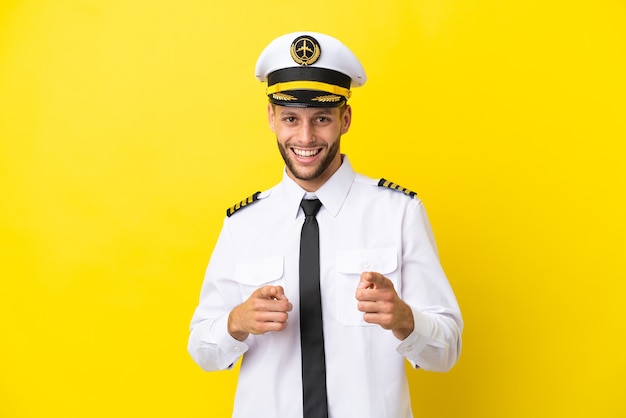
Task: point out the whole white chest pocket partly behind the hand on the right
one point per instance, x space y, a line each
350 265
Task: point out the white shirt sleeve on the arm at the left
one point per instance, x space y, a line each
210 345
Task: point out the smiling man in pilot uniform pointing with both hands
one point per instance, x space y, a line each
367 256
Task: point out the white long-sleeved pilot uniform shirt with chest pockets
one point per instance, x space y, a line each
363 227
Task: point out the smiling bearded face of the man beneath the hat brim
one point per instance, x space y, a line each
308 139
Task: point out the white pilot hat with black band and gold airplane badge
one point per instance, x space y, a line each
309 69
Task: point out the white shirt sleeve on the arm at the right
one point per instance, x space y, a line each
435 343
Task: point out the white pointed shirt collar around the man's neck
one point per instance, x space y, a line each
332 194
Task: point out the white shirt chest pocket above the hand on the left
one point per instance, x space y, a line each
251 275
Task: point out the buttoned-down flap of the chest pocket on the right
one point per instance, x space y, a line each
380 260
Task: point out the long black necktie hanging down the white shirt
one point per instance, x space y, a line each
311 332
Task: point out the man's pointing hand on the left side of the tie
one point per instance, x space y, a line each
264 311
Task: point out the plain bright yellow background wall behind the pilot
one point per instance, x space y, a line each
128 127
